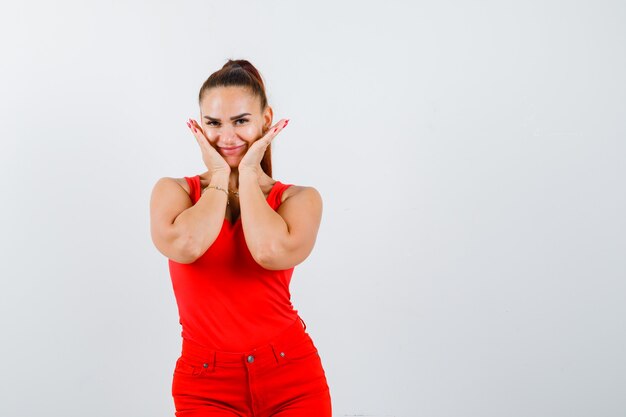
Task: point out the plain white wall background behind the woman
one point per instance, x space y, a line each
470 156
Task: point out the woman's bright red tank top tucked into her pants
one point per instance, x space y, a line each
226 301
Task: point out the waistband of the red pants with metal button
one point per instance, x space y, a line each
271 352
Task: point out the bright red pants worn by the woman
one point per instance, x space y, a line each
283 378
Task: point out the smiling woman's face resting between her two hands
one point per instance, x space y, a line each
232 120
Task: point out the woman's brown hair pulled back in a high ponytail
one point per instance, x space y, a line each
241 73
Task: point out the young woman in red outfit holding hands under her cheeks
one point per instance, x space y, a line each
232 236
